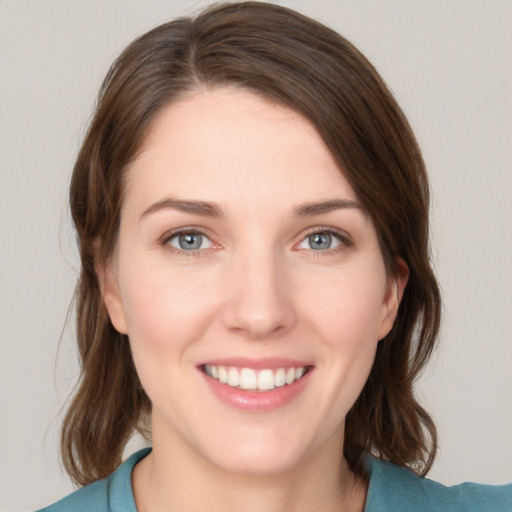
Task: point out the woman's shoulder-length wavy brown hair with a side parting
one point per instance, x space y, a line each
295 61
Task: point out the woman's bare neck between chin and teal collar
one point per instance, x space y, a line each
173 477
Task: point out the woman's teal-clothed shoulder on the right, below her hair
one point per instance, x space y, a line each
396 489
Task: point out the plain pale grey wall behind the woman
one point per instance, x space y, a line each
449 64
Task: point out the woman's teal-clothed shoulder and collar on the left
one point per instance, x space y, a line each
111 494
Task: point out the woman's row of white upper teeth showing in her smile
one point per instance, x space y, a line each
249 379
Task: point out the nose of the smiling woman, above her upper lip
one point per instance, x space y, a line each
259 301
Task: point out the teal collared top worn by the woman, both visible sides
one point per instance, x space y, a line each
392 489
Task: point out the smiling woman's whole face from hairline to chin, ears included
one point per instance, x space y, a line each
244 256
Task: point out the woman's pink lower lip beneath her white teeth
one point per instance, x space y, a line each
257 401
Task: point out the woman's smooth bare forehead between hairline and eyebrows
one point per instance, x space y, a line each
230 145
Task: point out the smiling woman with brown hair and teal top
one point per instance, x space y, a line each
256 292
